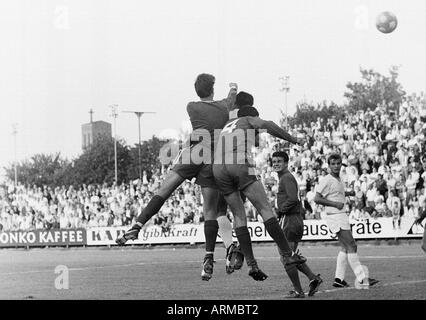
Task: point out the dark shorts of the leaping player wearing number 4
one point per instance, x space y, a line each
233 177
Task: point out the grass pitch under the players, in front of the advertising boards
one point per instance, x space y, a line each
173 273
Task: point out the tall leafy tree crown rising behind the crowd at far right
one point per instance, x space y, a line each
374 90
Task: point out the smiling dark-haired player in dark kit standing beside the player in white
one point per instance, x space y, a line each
291 221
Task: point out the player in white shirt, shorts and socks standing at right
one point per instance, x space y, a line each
331 194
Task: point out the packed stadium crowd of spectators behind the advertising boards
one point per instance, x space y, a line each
384 163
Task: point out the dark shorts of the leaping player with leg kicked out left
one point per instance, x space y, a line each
202 172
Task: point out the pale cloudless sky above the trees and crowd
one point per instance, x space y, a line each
59 59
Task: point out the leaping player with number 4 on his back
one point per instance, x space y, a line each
234 172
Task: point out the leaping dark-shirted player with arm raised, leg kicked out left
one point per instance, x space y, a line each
209 115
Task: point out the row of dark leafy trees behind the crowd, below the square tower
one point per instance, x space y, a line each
94 166
